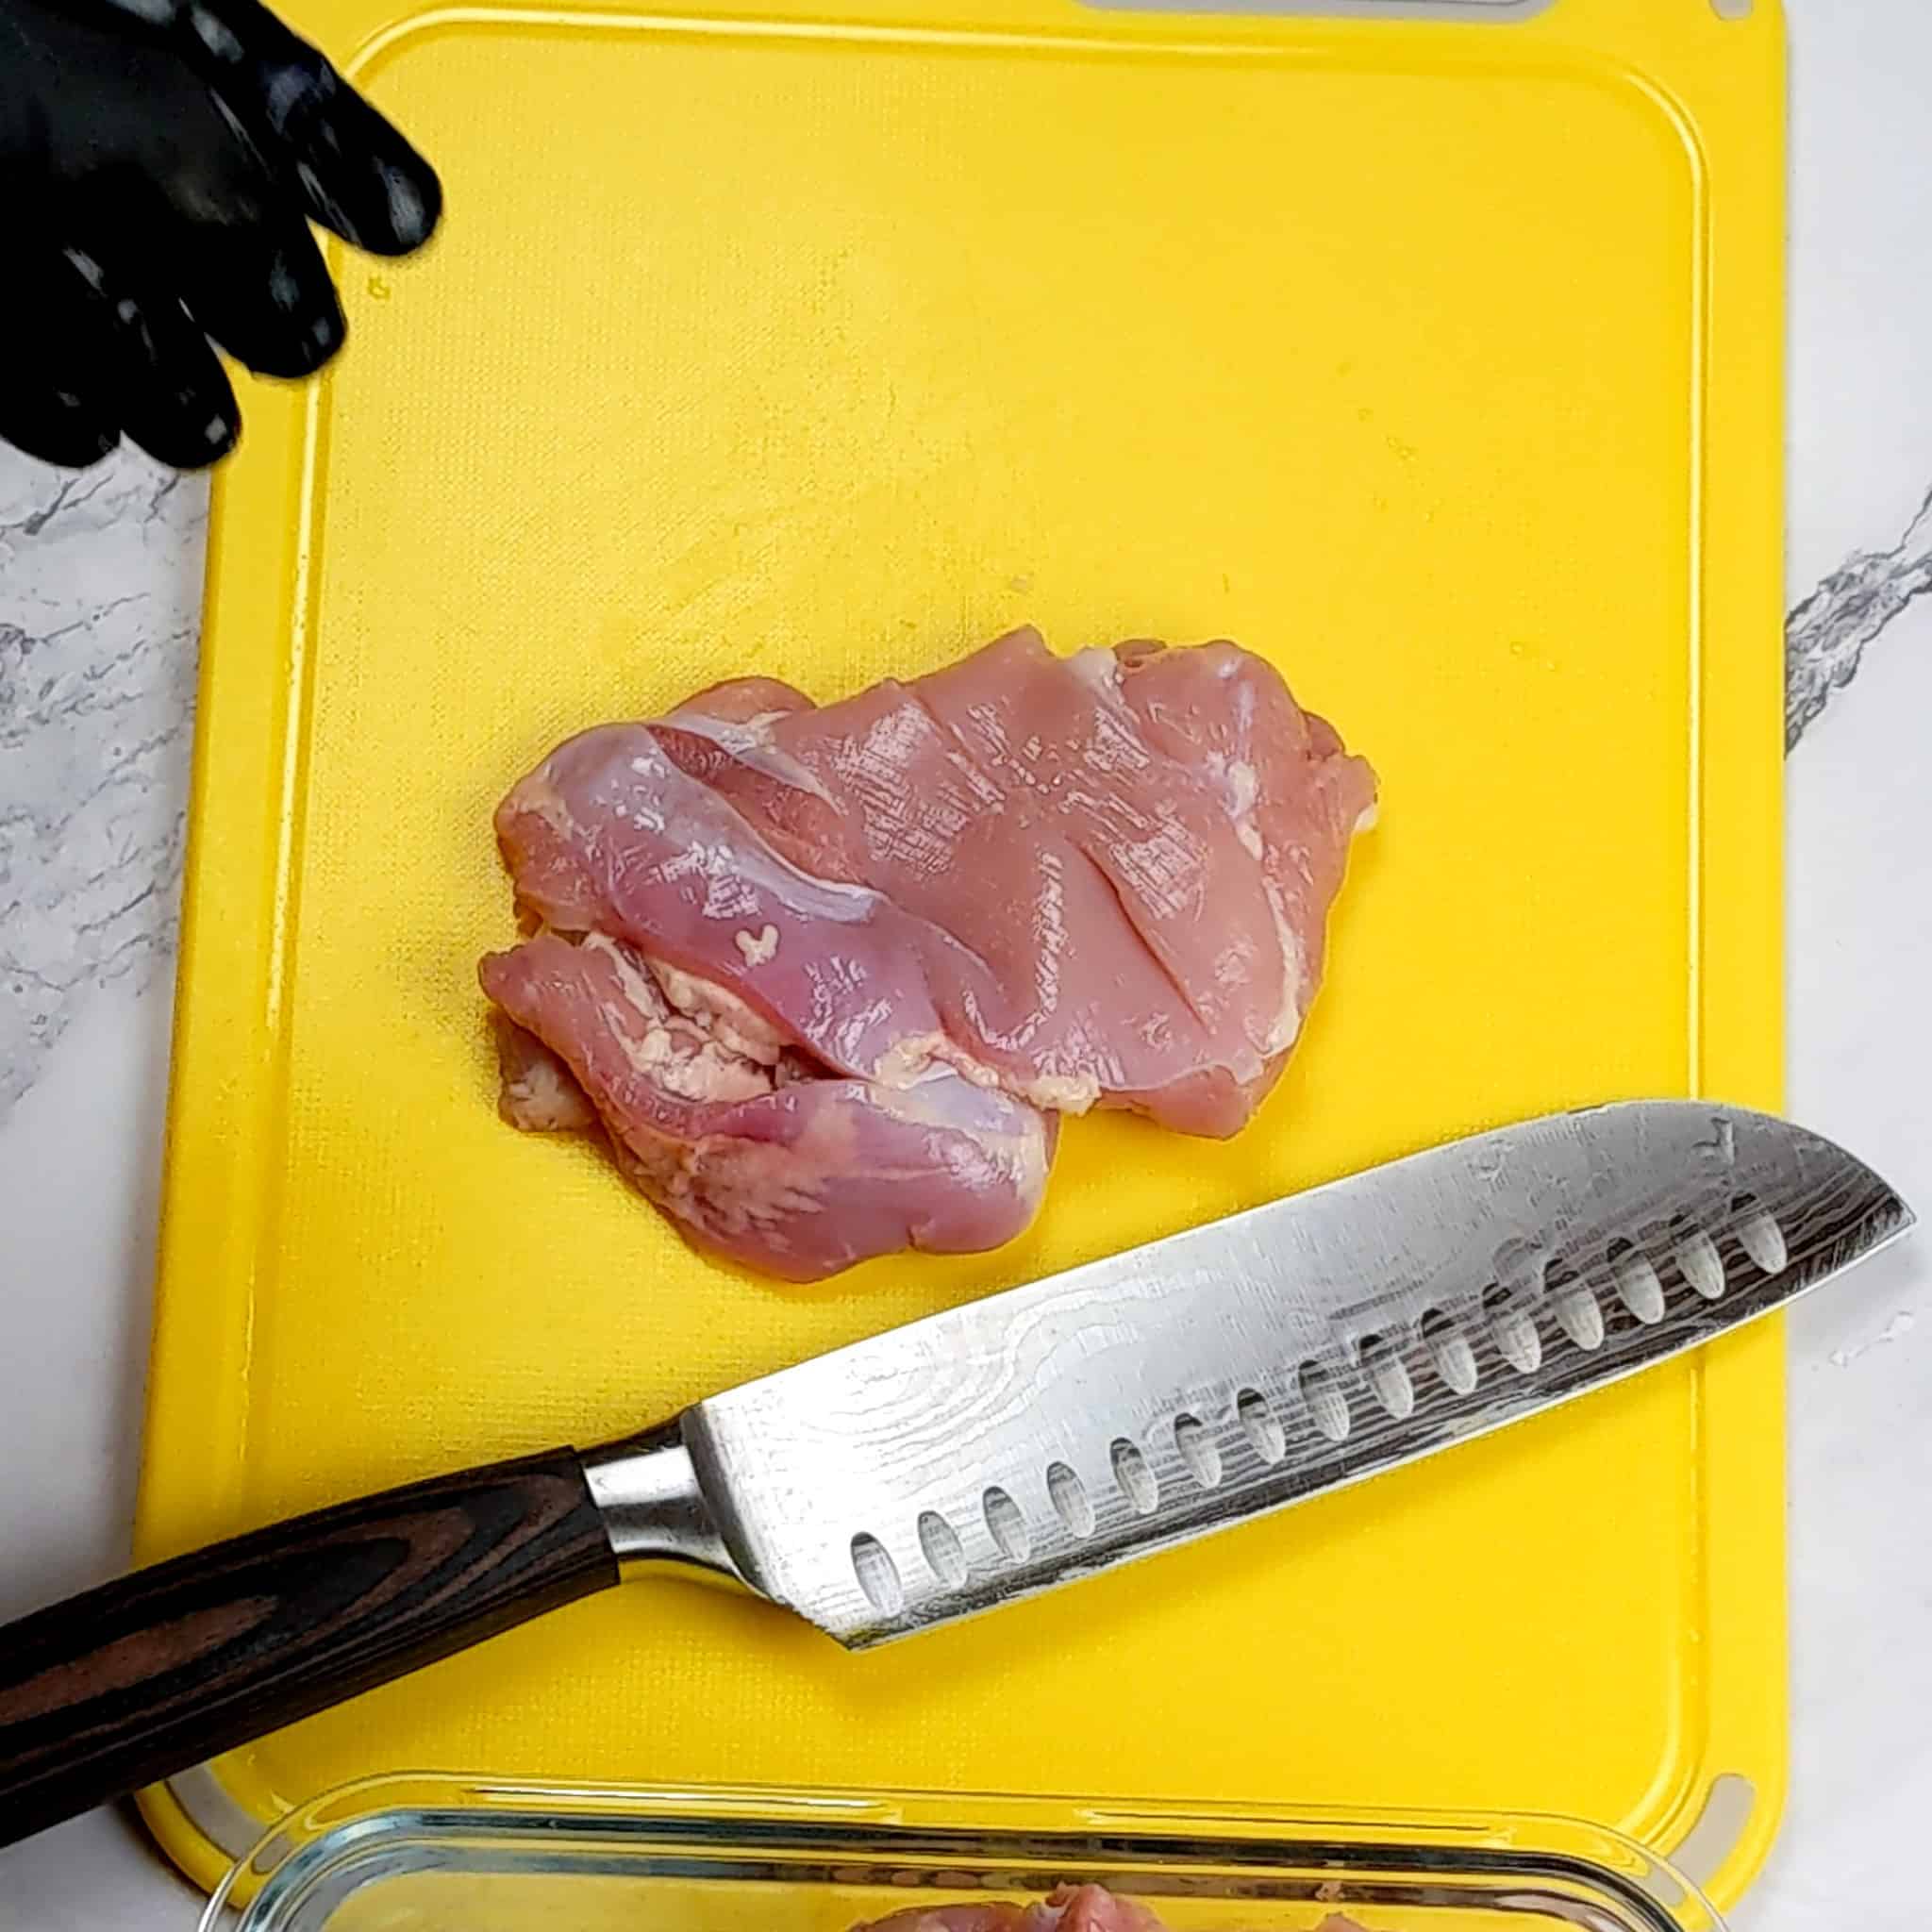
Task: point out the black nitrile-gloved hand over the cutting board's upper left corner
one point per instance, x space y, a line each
159 167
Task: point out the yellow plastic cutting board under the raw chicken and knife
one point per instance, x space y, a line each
1438 360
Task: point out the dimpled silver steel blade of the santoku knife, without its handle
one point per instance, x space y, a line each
1154 1396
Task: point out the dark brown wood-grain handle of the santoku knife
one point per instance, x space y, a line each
148 1676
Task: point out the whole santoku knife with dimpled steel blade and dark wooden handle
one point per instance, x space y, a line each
996 1450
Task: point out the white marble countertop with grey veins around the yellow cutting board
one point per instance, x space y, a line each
99 596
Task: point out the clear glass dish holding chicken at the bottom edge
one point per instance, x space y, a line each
461 1856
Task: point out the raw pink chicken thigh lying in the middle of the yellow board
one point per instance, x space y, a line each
828 977
